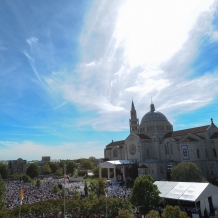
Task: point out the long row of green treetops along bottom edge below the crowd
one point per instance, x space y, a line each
51 208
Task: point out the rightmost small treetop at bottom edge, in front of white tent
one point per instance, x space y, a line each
173 212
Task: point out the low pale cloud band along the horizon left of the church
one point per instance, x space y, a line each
30 149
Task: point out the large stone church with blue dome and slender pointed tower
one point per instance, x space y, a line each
156 148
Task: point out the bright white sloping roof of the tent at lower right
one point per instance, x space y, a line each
186 191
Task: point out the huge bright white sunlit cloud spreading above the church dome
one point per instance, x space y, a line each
140 51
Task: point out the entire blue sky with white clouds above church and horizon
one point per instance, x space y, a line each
69 71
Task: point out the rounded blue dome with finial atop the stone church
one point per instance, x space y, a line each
153 116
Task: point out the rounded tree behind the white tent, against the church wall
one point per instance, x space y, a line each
186 172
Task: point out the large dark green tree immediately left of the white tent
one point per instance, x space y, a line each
145 194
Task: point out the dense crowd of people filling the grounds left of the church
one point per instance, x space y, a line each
33 194
